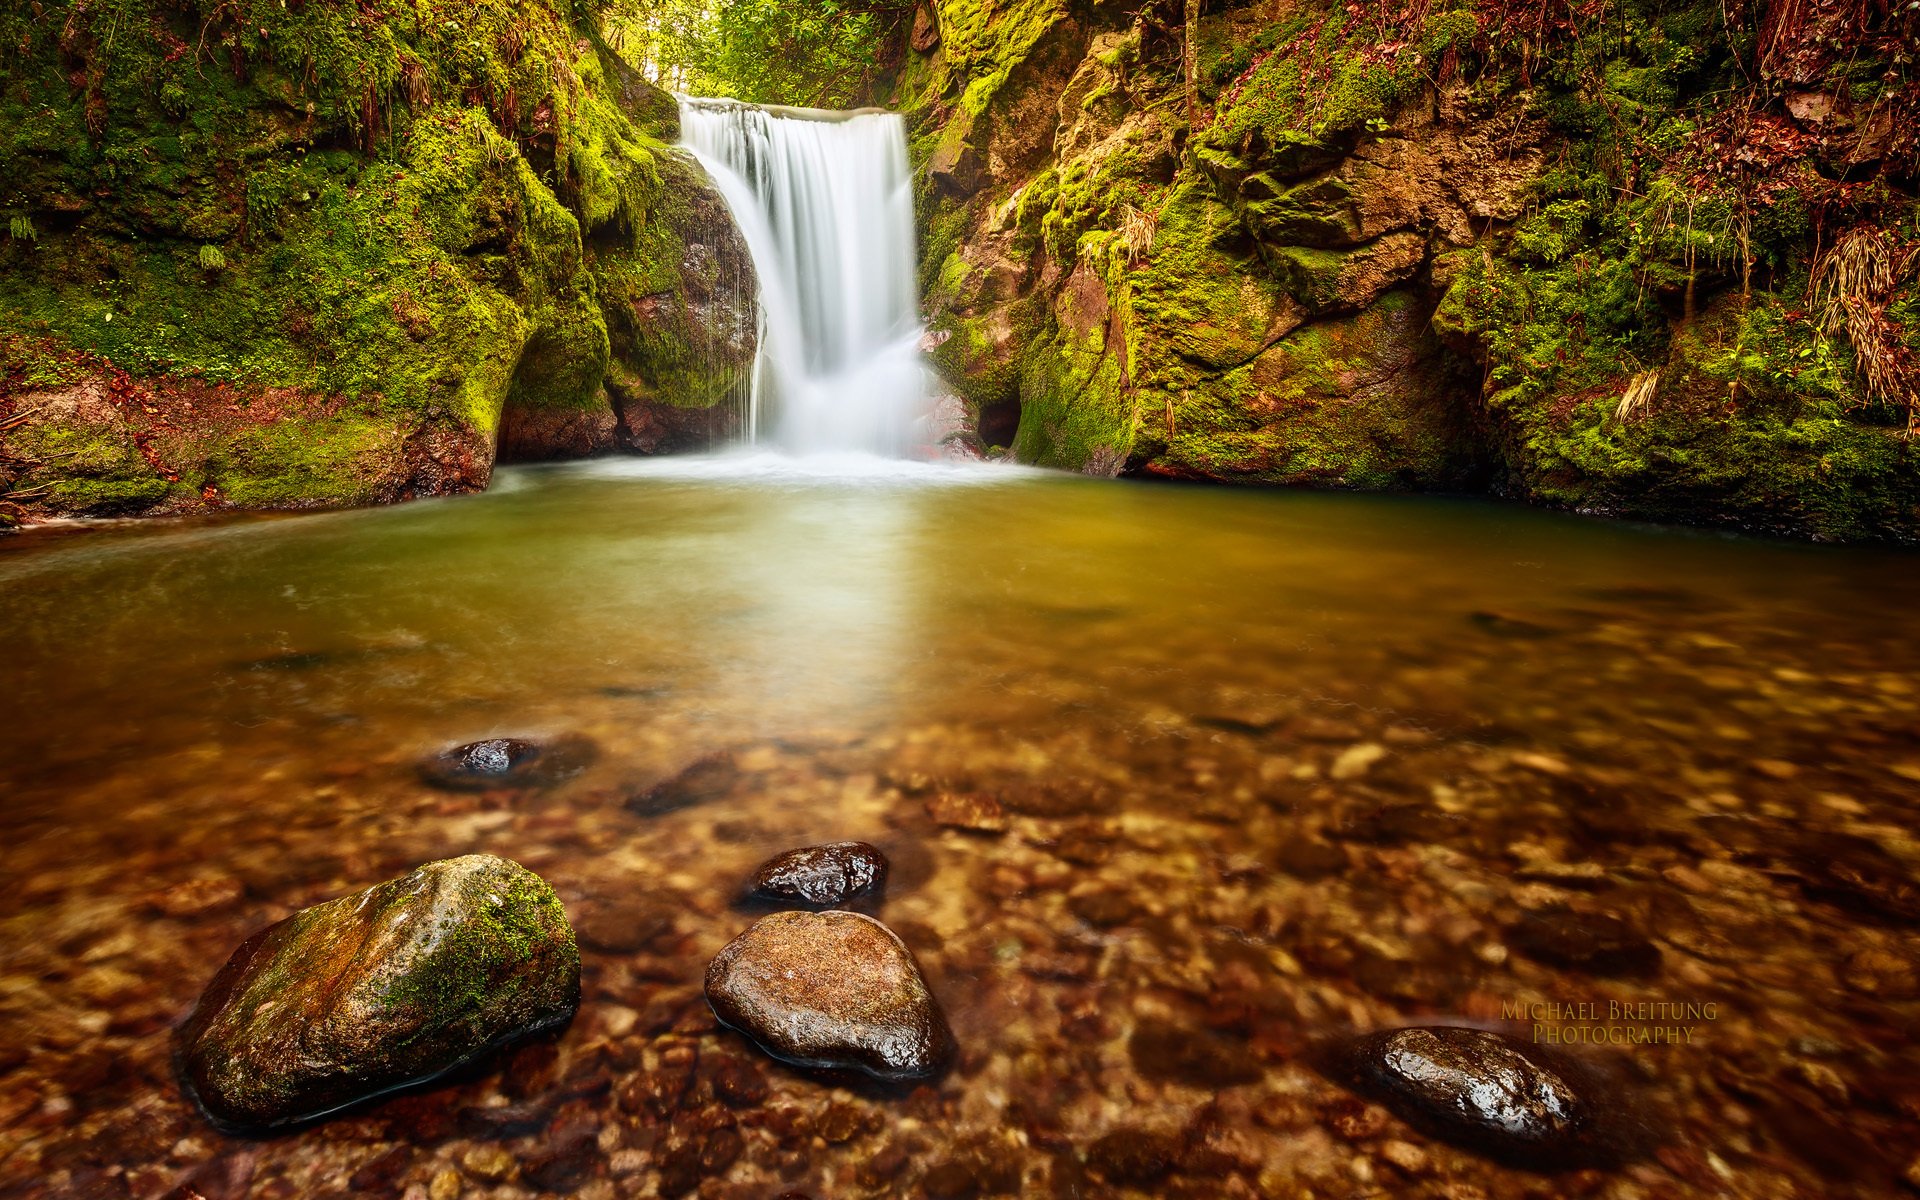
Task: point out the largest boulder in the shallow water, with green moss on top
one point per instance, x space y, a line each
379 990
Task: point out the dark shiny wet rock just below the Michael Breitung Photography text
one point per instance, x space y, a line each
1479 1090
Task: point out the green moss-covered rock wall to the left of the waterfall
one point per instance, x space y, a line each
310 256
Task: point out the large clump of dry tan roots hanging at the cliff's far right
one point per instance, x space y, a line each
1852 287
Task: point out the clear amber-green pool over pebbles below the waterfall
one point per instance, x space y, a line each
1278 767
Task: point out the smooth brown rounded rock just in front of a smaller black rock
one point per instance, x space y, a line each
830 990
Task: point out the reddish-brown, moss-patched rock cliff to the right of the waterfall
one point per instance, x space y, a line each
1591 258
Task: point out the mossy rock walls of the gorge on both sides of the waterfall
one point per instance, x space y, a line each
1658 268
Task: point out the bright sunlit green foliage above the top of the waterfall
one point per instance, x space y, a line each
811 53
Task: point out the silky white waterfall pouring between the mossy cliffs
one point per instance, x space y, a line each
825 203
